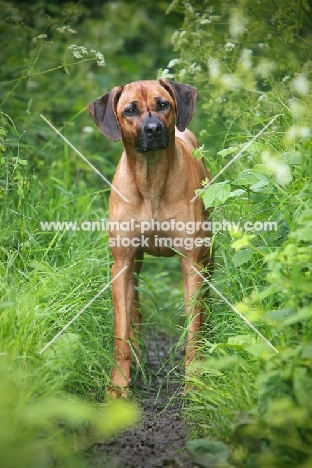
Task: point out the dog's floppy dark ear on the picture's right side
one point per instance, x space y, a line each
185 99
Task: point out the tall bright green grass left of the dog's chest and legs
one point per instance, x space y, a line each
46 279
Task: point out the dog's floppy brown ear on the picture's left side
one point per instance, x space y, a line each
103 111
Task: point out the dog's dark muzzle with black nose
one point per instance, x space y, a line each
153 136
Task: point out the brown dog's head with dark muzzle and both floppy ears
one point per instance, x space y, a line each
144 113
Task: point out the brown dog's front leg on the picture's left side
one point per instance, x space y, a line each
123 297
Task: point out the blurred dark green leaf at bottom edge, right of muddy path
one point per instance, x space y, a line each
207 453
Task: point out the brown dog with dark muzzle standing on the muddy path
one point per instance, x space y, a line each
158 175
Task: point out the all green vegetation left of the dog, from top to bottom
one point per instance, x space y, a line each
55 60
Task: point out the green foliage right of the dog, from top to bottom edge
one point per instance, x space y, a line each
251 63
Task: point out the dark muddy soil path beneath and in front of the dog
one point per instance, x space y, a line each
159 440
